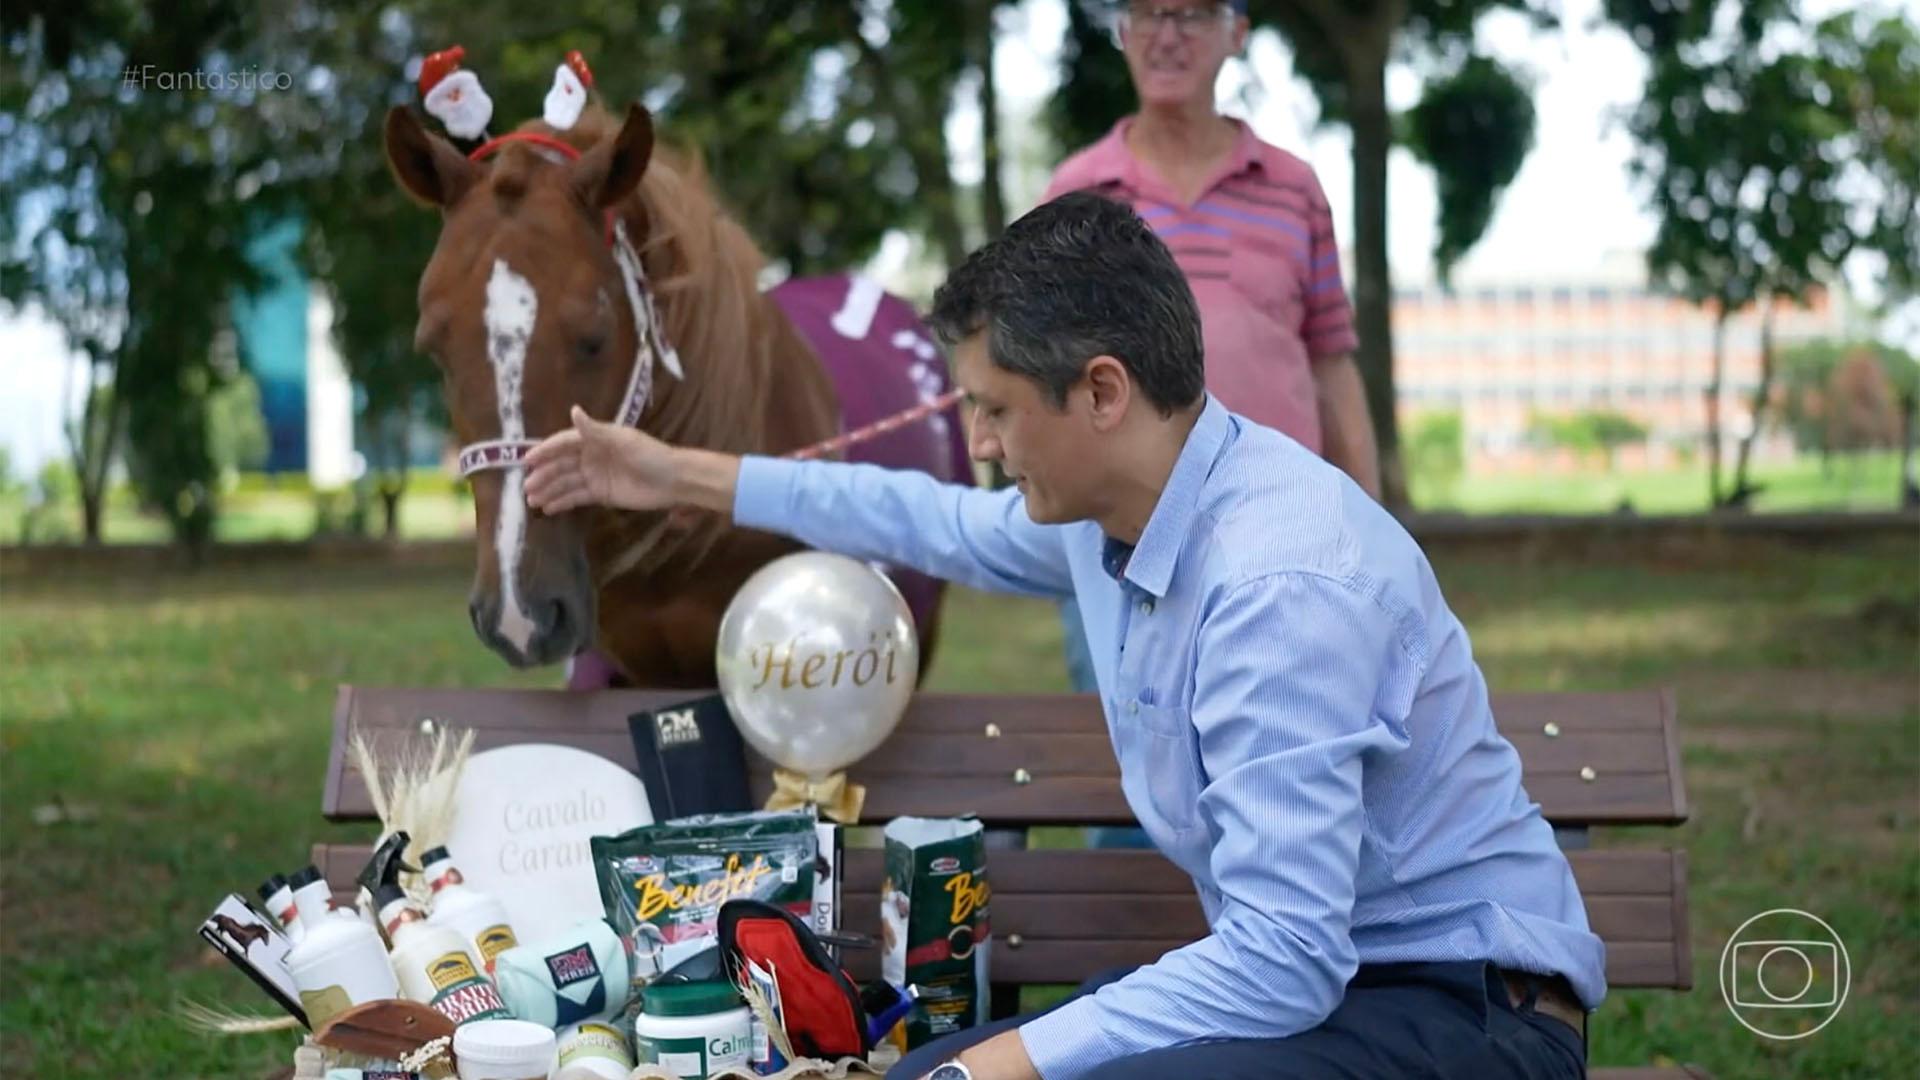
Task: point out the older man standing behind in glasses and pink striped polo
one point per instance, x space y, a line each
1253 233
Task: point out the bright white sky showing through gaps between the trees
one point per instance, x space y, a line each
1570 212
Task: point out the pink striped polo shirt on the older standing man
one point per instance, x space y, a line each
1260 257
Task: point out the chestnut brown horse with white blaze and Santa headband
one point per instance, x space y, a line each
535 301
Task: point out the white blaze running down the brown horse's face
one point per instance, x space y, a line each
510 326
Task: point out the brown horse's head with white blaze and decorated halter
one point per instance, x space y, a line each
531 305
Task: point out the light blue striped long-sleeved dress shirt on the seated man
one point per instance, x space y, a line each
1299 720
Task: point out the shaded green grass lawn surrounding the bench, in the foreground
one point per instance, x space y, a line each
181 724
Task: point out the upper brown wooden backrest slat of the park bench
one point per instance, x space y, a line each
942 762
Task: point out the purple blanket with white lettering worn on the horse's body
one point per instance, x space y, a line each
882 362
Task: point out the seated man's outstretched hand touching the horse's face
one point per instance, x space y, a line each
602 464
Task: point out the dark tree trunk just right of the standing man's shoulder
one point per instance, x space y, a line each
1374 287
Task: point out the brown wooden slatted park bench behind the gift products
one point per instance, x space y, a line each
1038 762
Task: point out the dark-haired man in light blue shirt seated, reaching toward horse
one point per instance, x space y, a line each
1299 718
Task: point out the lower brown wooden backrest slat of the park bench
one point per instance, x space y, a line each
1082 912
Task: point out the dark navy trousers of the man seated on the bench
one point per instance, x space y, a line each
1399 1021
